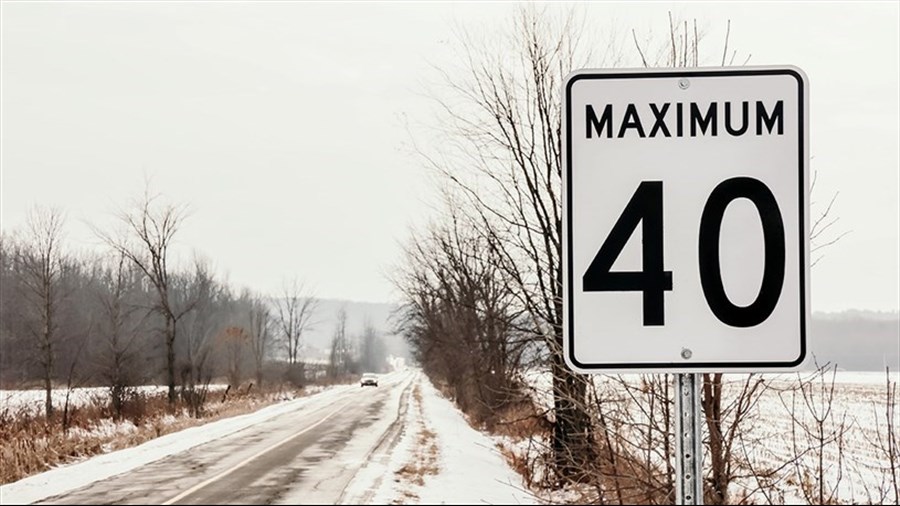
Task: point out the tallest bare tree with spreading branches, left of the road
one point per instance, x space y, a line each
150 227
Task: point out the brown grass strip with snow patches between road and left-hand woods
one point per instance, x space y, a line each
30 443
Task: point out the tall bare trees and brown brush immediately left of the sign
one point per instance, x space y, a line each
483 283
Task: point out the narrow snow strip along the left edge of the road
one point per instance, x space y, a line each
71 477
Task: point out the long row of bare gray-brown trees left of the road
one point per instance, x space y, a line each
124 316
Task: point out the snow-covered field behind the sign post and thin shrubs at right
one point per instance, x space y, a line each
780 442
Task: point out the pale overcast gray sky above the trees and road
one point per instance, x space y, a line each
285 125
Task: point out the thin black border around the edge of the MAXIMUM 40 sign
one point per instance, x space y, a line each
569 311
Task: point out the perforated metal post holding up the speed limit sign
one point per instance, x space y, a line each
688 440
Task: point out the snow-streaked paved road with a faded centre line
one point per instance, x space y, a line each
307 456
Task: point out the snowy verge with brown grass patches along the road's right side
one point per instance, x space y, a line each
441 459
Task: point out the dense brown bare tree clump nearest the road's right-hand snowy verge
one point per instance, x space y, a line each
462 320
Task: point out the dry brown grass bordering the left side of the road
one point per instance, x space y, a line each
30 444
